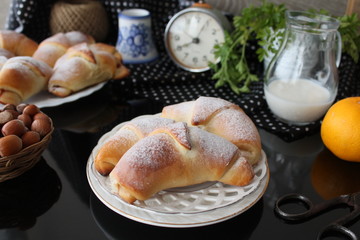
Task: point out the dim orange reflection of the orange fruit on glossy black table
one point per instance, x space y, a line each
332 177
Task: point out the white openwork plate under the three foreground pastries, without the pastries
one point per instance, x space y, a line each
196 205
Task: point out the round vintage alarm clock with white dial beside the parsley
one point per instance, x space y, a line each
191 34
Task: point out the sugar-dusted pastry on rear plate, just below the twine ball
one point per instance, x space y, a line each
52 48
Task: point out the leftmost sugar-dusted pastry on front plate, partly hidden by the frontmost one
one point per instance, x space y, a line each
129 134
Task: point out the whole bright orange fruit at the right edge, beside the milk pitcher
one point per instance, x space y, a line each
340 129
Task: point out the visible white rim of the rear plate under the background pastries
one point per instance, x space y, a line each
46 99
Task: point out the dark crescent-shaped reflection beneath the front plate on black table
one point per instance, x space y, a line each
116 226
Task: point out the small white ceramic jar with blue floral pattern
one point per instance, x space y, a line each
135 41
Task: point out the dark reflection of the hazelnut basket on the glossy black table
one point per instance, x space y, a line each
28 196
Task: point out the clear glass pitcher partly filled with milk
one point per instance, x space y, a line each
301 81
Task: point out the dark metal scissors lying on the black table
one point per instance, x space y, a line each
352 201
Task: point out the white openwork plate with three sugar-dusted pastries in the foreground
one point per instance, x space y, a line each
196 163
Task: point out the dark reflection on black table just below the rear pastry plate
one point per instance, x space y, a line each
100 111
